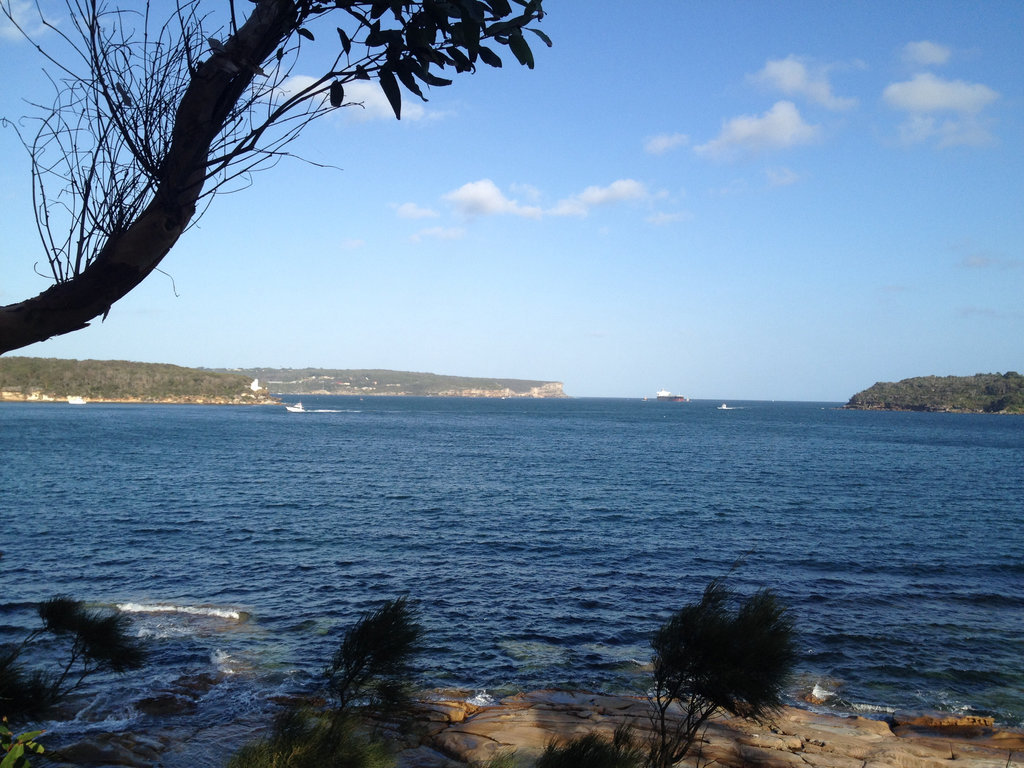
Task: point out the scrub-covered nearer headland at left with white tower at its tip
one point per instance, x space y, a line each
41 379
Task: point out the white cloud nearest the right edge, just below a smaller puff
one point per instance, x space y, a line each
948 111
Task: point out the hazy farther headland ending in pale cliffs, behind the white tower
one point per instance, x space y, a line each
374 382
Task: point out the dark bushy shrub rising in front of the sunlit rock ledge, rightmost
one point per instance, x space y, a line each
711 657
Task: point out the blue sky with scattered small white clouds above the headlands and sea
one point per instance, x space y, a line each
728 200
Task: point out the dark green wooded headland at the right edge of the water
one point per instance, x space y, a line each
982 394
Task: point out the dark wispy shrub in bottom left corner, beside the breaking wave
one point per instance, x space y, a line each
89 642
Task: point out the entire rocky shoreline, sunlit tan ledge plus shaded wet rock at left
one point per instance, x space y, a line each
454 733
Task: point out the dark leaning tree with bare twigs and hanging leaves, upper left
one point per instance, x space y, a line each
153 115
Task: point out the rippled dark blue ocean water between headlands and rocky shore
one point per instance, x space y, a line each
543 540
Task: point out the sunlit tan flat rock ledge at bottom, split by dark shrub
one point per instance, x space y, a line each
460 735
